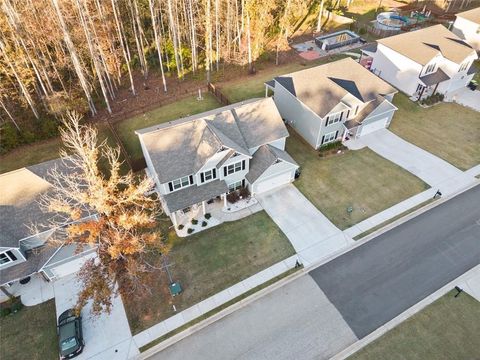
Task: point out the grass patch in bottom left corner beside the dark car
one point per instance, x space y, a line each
30 334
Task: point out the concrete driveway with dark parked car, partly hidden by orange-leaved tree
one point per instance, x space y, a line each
106 337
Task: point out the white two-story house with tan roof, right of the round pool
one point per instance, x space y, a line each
423 62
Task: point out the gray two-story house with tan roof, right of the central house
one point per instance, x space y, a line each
333 101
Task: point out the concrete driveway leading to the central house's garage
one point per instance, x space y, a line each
312 235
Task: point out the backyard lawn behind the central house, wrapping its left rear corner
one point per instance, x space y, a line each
185 107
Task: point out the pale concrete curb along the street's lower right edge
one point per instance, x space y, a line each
404 316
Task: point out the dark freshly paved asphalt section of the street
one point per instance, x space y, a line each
374 283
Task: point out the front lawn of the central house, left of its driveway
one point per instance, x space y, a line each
208 262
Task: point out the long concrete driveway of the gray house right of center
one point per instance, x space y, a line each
434 171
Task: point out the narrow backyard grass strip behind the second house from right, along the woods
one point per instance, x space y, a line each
253 86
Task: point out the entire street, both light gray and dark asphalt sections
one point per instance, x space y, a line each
321 313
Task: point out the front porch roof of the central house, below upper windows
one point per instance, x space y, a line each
181 199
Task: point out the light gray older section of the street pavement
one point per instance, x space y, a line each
295 321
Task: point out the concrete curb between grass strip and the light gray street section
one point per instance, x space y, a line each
220 315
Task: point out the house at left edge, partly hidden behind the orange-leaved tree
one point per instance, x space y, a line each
23 251
